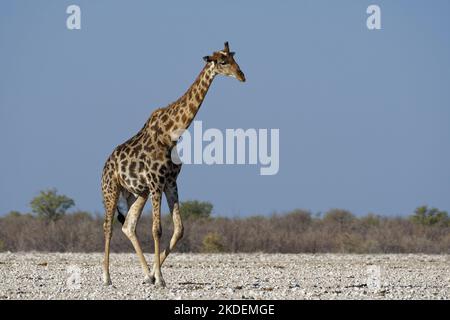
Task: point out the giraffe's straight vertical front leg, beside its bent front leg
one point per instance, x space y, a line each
156 230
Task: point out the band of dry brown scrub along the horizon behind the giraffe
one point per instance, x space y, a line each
299 231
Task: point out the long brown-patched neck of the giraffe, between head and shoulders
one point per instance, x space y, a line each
182 112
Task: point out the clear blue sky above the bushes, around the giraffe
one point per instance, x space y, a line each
363 115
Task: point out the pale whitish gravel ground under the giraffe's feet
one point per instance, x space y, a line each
228 276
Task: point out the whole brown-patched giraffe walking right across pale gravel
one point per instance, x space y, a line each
142 167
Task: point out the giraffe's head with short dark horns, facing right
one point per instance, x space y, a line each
223 63
